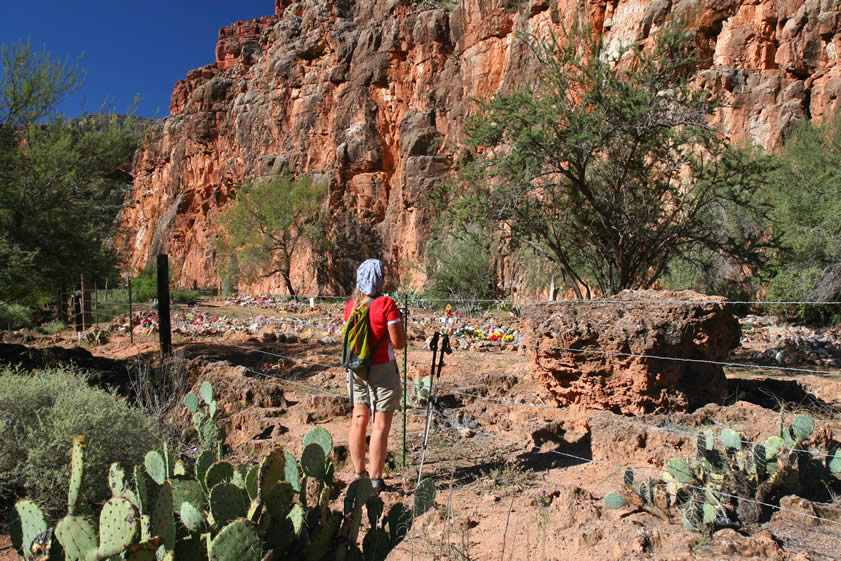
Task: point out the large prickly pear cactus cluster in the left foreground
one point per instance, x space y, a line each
217 511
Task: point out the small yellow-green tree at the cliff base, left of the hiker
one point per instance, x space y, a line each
265 224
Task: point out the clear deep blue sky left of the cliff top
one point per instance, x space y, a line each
128 47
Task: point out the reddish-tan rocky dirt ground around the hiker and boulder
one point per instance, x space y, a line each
517 478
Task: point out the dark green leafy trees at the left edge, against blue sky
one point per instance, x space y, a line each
62 182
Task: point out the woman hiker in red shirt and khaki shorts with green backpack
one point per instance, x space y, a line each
376 398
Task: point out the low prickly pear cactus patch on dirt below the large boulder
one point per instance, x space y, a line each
705 493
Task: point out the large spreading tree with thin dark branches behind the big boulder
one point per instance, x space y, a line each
608 167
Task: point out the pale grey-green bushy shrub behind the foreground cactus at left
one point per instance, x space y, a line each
41 412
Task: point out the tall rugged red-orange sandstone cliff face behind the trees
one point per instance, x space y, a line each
372 96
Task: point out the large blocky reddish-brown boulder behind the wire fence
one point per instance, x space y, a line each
606 356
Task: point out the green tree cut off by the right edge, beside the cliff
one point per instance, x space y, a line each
806 194
